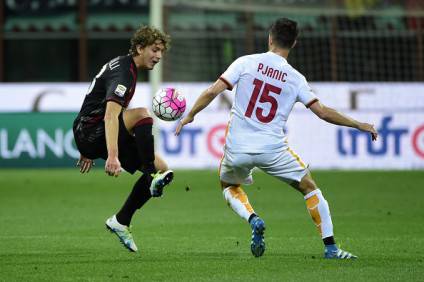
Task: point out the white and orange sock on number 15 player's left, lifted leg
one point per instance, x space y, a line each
238 201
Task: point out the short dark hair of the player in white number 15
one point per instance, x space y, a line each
284 32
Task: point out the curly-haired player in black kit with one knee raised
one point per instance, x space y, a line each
105 128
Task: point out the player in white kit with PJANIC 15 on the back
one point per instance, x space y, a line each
267 88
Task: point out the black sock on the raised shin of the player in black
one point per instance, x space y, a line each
145 144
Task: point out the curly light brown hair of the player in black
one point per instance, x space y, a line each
147 35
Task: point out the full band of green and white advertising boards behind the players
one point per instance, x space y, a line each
44 139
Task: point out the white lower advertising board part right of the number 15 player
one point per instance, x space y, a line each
400 143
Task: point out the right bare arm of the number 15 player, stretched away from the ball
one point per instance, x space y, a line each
332 116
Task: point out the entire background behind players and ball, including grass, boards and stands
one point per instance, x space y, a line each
363 57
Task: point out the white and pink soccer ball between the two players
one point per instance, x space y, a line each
168 104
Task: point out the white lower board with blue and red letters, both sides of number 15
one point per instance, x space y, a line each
324 146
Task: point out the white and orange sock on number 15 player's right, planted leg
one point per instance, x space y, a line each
320 212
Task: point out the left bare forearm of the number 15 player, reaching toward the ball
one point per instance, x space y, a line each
202 102
